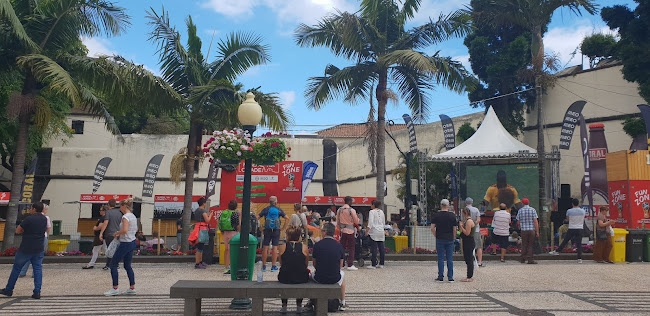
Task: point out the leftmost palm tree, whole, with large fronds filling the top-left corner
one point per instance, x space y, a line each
41 40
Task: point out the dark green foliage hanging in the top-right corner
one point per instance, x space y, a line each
633 48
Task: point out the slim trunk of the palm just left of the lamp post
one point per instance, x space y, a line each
189 183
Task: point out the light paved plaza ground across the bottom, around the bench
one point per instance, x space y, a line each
402 288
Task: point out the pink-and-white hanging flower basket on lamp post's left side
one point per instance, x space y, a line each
229 146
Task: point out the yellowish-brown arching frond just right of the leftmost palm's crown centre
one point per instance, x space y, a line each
49 72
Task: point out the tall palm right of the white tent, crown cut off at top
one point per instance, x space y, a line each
535 15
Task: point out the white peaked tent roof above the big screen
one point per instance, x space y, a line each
491 141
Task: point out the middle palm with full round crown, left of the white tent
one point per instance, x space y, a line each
384 53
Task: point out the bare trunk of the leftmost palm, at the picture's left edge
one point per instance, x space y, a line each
17 177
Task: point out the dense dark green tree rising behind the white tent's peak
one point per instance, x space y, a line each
498 53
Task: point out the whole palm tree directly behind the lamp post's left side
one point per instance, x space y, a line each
209 98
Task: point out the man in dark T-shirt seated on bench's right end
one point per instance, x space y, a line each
327 257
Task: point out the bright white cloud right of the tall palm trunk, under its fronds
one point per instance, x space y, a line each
563 41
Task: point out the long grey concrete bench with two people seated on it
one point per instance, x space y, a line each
194 290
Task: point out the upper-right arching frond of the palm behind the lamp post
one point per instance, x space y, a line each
238 53
